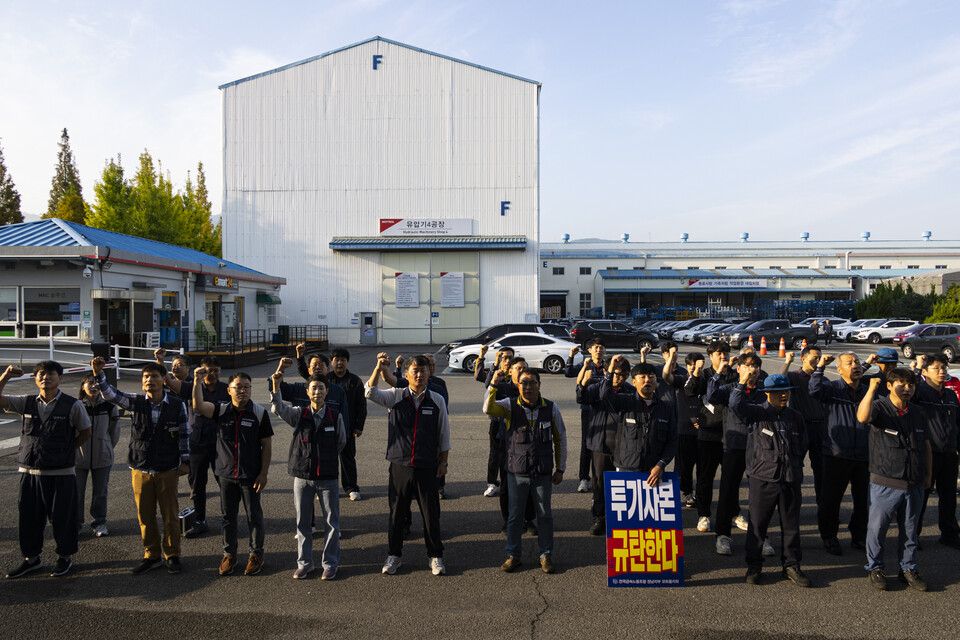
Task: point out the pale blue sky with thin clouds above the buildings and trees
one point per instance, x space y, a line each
657 117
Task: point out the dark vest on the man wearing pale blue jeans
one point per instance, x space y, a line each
313 449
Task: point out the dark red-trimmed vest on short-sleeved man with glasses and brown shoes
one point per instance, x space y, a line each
239 453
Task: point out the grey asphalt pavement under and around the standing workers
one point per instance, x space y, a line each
101 599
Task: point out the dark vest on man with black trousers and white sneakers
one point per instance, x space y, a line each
413 433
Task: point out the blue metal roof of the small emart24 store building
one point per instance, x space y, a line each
54 232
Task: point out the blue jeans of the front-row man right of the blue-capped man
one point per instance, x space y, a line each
884 505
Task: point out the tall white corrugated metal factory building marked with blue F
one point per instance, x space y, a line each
372 177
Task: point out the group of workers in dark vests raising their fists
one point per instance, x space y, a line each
890 437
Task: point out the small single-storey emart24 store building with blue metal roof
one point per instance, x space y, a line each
64 279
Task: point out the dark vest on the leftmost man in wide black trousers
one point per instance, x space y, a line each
49 444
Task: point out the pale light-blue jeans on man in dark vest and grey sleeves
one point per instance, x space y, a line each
303 493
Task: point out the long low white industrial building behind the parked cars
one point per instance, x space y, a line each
605 277
